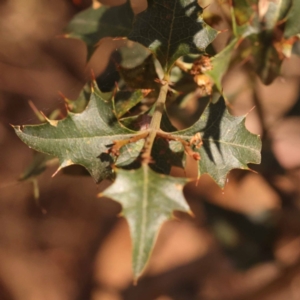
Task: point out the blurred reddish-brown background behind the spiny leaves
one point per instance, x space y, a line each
80 249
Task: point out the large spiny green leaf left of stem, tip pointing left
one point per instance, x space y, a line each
82 138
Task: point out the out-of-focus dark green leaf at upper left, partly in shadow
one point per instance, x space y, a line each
93 24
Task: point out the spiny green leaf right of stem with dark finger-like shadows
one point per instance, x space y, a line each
227 144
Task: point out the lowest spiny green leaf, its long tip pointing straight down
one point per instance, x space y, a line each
148 200
